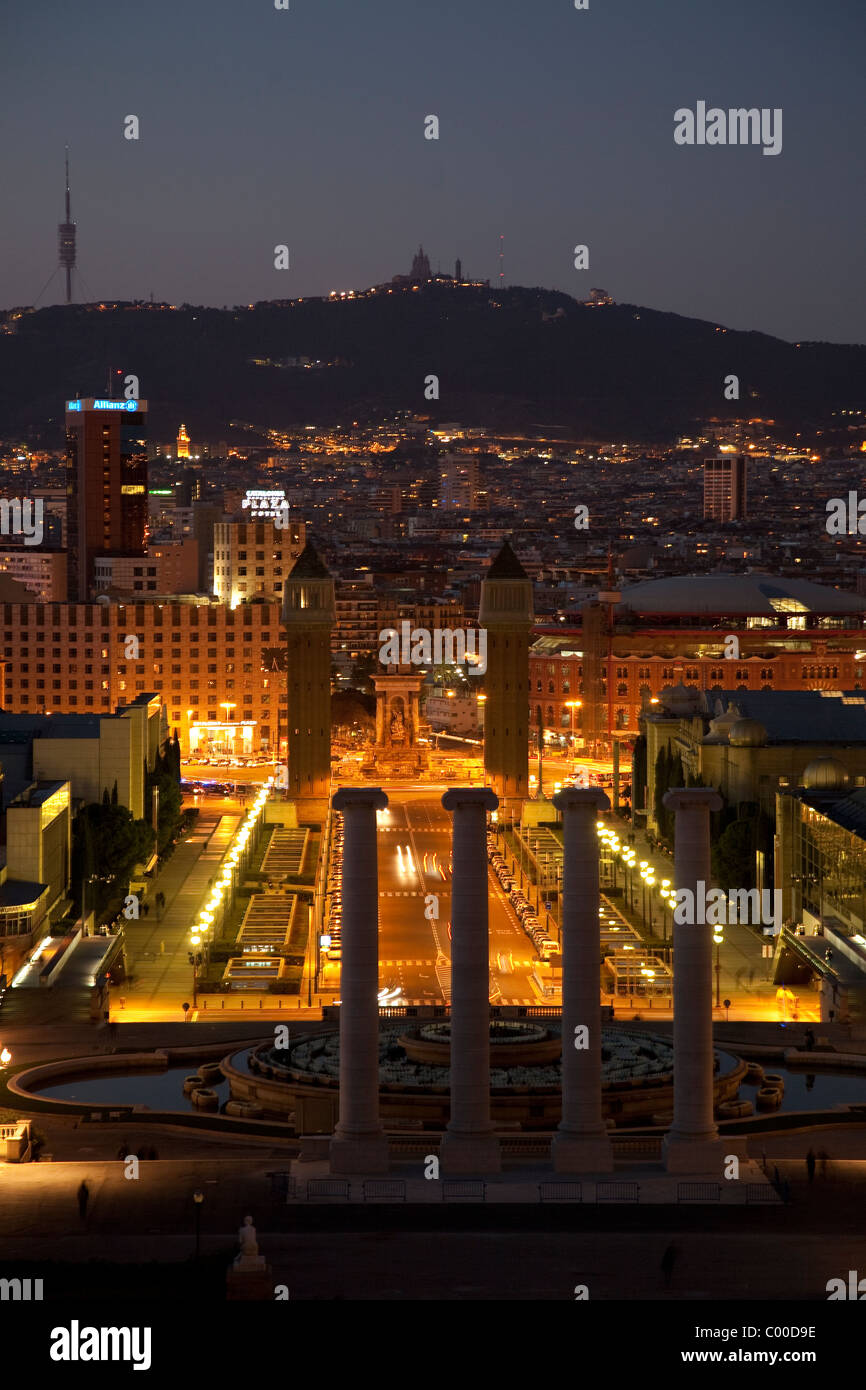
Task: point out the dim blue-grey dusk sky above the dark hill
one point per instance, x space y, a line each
307 127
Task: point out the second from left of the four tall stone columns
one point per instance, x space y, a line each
469 1145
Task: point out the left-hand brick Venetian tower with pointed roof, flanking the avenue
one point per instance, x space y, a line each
309 614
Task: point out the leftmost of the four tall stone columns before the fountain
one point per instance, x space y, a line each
359 1145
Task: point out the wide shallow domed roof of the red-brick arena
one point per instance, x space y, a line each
751 594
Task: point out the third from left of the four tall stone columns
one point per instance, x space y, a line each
582 1143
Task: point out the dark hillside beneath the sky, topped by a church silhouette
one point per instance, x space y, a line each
503 359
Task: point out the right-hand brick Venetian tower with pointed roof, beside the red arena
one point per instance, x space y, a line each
507 615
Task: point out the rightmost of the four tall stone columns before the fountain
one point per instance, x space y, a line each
692 1146
